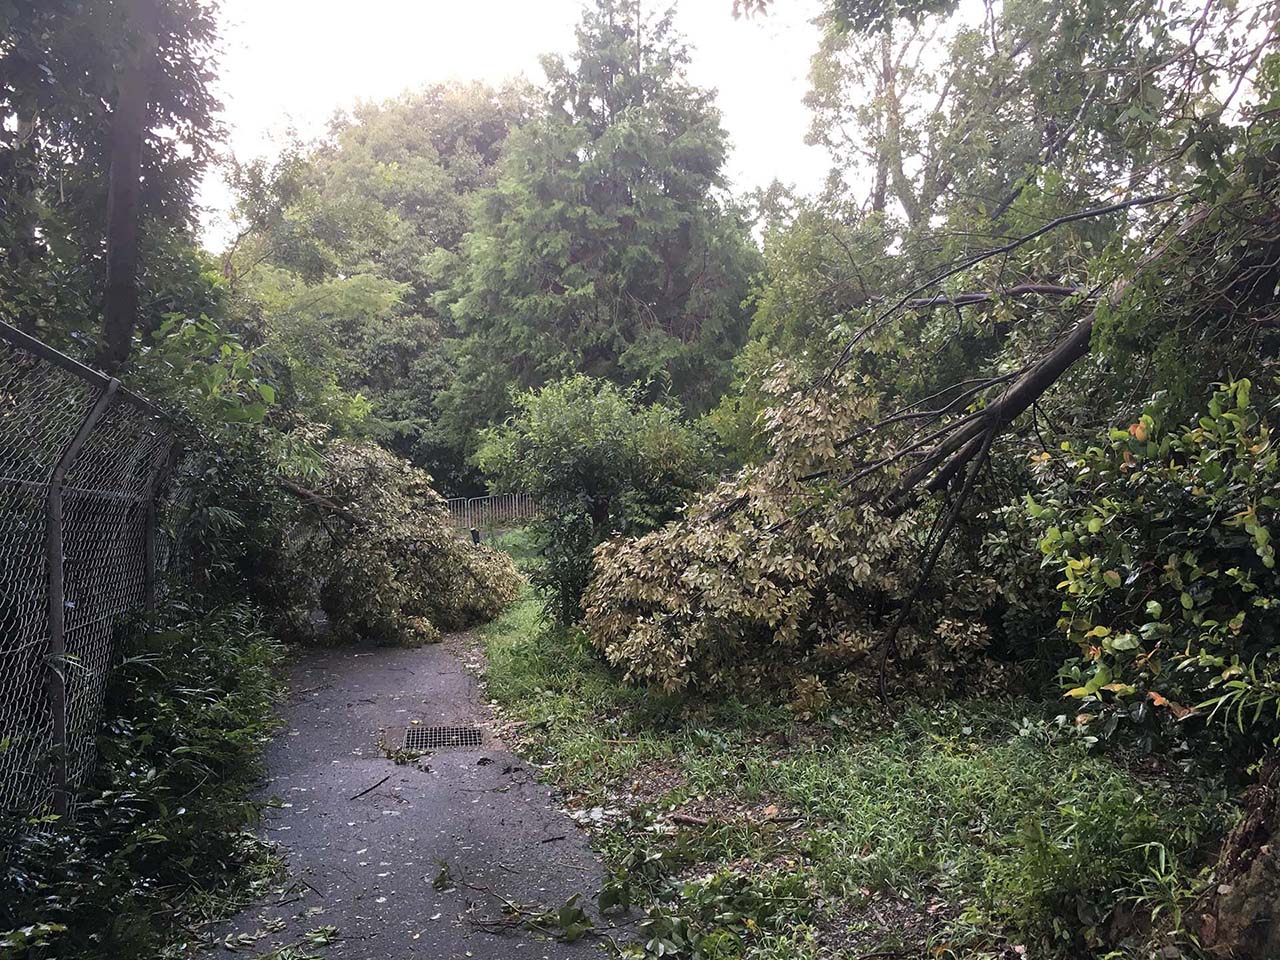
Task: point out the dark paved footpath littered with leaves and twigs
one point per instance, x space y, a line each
363 834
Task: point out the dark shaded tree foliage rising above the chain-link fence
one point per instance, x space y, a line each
106 104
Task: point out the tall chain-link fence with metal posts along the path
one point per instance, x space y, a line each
81 467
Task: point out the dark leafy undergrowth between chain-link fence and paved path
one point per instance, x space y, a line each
163 840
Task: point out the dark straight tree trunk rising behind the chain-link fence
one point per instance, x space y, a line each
125 190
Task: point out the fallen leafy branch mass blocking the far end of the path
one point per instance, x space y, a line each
383 561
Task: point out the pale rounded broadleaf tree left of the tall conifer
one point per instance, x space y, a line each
350 241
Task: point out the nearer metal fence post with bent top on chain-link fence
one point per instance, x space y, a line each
57 668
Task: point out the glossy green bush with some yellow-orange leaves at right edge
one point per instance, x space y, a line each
1164 541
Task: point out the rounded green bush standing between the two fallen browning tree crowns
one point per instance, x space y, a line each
602 463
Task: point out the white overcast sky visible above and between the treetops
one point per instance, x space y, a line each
294 63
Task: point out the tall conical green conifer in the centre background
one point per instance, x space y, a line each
607 246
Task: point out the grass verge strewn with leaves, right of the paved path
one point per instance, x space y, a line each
945 830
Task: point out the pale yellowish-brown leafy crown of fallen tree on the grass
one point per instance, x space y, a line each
775 579
